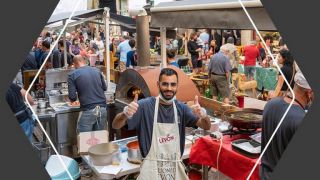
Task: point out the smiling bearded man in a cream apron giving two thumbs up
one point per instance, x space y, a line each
160 123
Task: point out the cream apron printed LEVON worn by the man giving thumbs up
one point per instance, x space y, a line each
163 160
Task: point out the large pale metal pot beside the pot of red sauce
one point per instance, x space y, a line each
103 154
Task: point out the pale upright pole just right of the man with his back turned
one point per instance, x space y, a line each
107 34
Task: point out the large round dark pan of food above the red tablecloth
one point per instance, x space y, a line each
244 119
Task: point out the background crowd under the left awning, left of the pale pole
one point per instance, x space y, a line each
77 42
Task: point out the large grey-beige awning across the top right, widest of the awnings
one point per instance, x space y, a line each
217 14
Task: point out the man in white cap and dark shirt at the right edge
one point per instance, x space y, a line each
272 115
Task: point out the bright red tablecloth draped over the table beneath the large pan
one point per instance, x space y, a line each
231 163
